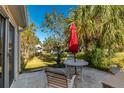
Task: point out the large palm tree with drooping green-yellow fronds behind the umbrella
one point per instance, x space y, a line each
101 26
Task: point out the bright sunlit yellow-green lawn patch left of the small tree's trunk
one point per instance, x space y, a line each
35 62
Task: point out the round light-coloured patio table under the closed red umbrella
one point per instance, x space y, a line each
71 65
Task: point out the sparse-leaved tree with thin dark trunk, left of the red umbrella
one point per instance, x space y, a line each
54 24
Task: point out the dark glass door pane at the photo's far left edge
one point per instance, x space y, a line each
2 30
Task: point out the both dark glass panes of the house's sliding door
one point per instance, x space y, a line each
9 55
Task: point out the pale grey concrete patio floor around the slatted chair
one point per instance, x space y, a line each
92 79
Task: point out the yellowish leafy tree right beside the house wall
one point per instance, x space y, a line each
28 41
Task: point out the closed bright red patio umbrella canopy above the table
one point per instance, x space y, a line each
73 42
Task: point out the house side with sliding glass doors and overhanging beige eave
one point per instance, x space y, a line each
13 19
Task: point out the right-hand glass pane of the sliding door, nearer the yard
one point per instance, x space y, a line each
11 53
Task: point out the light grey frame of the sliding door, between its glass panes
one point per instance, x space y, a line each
5 63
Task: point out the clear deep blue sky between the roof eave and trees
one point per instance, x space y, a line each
37 13
